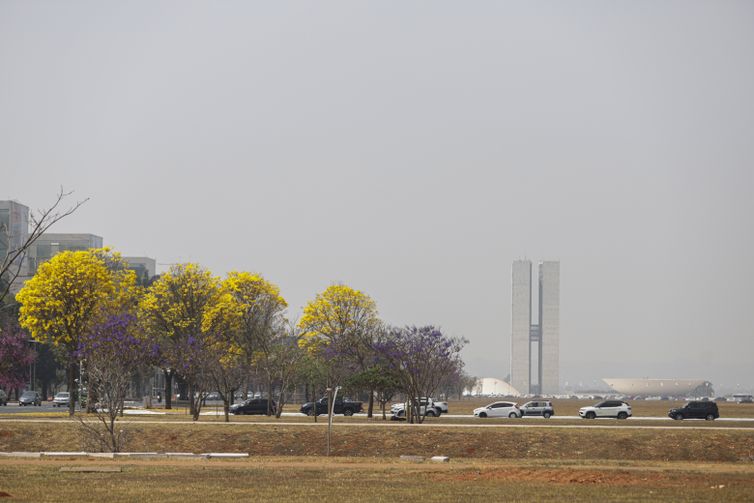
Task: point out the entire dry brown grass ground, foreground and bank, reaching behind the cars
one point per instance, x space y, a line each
690 461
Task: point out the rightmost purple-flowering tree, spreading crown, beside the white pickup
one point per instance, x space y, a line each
420 358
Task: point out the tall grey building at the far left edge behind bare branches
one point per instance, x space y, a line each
14 231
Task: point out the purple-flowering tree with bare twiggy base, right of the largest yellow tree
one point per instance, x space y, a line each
112 352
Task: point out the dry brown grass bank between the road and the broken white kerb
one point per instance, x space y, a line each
393 439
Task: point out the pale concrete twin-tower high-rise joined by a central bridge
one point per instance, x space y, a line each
535 330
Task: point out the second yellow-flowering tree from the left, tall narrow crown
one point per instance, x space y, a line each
172 312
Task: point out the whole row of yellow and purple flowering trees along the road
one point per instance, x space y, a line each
211 333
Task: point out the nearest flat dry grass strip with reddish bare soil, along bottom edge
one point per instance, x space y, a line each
348 479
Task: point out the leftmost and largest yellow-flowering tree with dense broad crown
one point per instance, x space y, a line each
69 295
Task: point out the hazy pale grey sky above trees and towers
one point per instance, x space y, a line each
413 150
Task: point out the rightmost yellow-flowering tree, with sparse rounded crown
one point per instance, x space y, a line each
340 325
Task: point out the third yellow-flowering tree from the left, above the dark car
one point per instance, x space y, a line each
249 317
